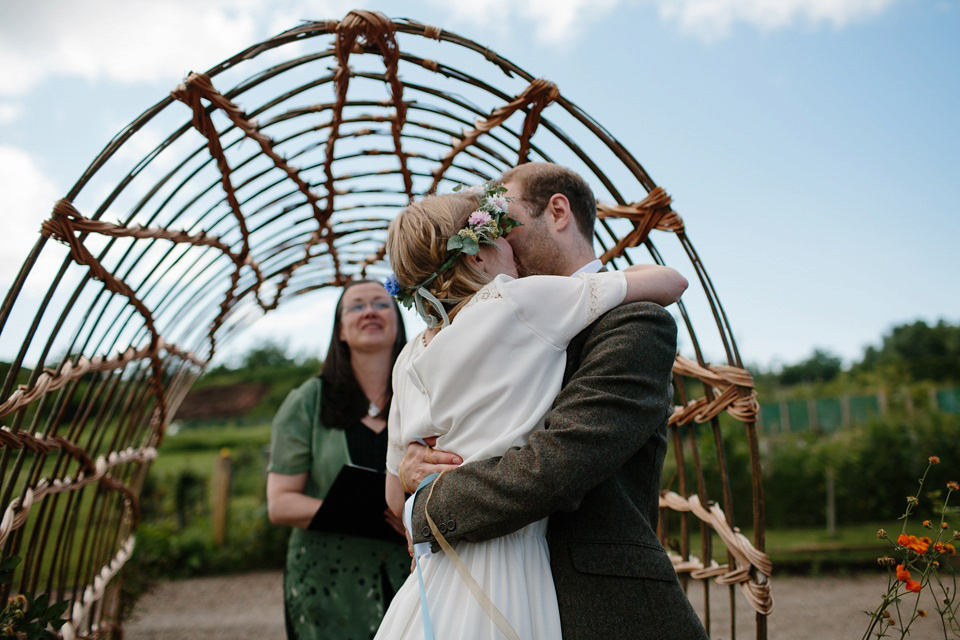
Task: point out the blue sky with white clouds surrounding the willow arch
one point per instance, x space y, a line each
811 146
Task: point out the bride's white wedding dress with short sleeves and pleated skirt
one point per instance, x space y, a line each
482 385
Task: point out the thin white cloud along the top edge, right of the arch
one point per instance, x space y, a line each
713 19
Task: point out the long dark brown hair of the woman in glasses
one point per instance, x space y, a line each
342 401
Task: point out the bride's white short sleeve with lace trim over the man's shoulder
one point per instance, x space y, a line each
559 307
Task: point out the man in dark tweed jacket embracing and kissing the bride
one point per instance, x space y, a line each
595 469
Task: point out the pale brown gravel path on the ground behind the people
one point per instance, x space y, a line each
250 606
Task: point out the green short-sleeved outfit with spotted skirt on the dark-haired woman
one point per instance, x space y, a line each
336 587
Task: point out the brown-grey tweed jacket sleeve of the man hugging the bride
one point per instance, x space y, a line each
617 398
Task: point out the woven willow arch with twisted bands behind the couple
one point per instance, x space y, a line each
202 215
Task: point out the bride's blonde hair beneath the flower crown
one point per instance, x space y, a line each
417 247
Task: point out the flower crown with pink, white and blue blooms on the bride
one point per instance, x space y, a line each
489 221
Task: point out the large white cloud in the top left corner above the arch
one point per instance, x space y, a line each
134 42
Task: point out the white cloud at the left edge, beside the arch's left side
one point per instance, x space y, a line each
26 200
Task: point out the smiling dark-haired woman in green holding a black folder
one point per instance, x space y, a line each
336 585
